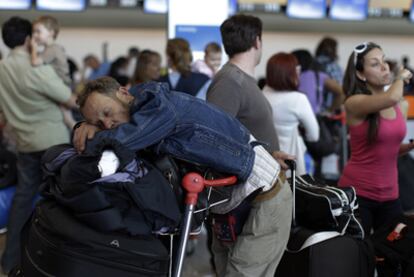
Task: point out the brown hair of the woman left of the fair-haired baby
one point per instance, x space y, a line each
179 54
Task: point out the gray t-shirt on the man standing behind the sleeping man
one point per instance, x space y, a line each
237 93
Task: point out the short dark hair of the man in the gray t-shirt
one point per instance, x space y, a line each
239 33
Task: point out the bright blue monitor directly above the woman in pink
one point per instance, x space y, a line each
349 10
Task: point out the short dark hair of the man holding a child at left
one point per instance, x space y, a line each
15 31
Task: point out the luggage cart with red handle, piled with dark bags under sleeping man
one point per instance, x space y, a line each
69 235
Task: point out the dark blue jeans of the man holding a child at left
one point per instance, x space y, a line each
29 179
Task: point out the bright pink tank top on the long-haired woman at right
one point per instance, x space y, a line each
372 169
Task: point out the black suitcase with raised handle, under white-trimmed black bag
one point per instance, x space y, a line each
311 254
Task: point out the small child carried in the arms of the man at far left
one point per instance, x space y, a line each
45 31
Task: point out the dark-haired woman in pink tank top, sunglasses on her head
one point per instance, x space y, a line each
377 128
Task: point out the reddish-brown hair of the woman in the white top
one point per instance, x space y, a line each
281 74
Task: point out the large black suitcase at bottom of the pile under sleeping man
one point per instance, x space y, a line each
68 248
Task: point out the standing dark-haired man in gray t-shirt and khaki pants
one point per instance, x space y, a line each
261 243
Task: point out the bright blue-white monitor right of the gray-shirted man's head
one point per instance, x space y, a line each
306 9
